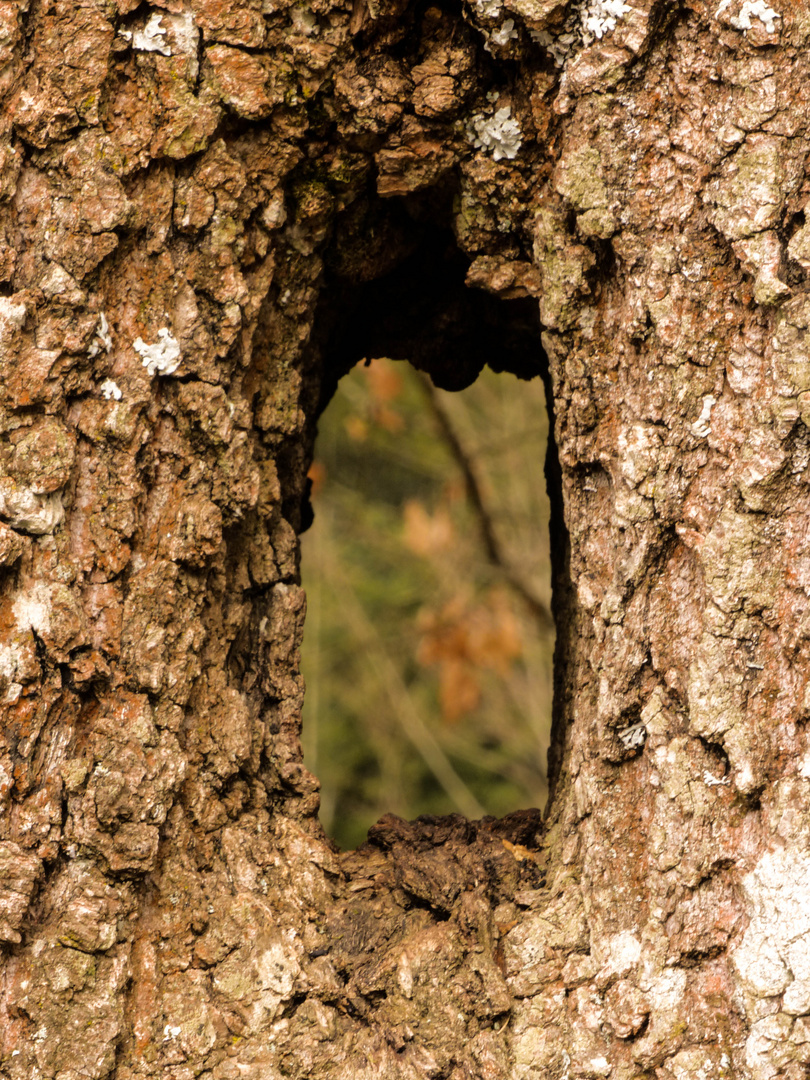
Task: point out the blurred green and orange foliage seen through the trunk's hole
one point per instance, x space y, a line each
428 676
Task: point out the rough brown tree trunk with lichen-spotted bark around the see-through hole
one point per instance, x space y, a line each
209 214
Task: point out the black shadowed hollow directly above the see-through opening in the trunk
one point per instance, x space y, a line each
395 287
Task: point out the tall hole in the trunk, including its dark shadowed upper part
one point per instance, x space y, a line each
428 645
